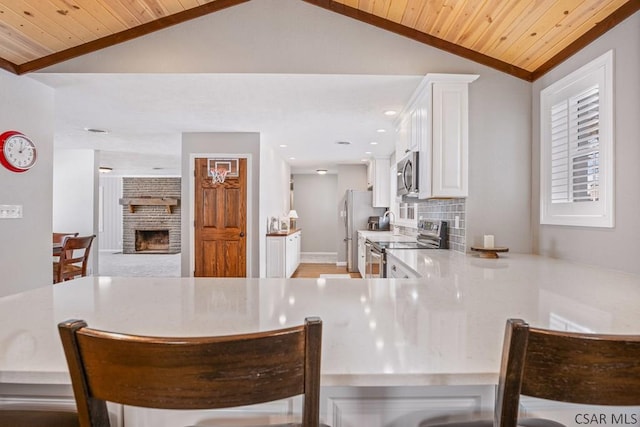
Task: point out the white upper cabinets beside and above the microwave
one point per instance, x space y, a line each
435 123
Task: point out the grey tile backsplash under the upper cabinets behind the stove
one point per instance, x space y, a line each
447 210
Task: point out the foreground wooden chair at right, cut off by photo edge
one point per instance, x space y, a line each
570 367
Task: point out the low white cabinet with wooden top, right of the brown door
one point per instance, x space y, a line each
283 253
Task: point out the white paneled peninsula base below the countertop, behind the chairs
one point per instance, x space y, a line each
340 406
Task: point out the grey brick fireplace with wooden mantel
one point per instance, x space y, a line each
151 215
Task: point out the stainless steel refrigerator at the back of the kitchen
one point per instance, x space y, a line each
358 207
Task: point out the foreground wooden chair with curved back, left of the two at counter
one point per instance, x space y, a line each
194 372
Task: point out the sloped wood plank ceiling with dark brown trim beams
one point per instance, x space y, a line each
525 38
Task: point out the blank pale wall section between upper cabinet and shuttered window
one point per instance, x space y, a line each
499 201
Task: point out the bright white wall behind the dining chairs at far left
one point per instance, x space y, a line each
75 196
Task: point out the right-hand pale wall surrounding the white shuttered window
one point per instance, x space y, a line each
615 248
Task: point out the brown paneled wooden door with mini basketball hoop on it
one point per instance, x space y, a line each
220 223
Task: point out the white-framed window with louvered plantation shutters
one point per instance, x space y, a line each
576 137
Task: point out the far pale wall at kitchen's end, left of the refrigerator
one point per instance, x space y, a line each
314 197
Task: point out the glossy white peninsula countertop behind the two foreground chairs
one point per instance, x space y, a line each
443 329
